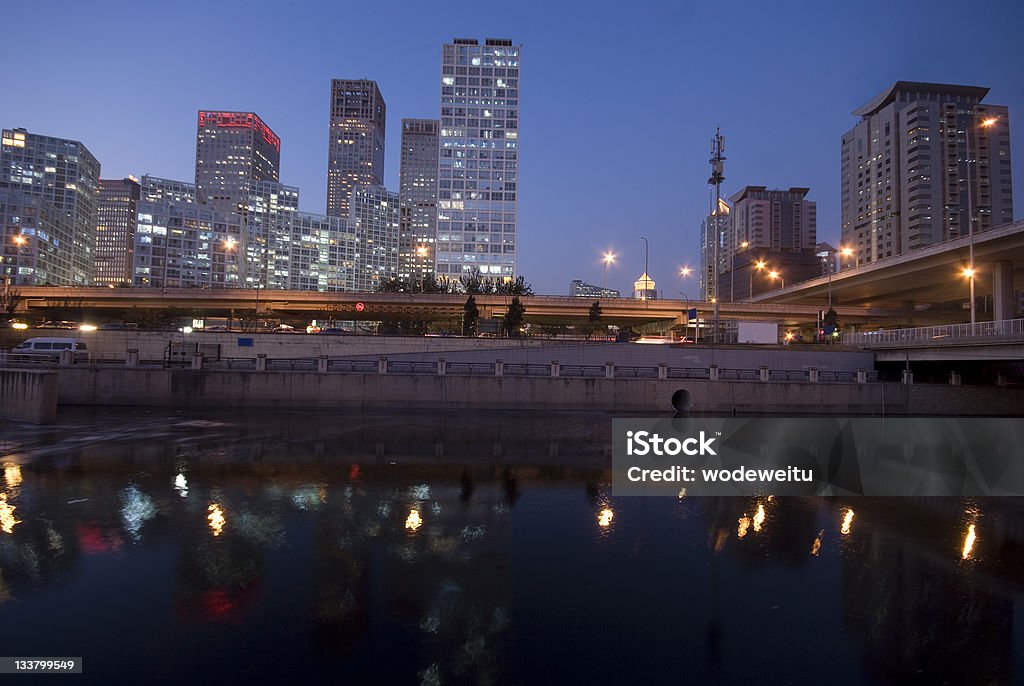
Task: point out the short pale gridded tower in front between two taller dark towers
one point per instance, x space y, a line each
374 223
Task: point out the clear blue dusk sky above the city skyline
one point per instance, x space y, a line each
619 100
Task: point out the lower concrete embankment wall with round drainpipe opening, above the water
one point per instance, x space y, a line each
125 387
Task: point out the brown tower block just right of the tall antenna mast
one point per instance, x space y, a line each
775 228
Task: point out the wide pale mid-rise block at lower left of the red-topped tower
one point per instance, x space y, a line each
183 244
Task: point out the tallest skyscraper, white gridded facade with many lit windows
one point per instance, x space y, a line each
479 159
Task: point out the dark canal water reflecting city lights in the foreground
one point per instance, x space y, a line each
472 548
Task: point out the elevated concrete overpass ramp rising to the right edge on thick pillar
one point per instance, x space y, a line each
924 280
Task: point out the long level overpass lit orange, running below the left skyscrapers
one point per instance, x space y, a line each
44 303
